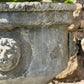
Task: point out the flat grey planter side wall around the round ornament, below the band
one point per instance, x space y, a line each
45 48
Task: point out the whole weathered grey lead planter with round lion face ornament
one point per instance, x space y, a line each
33 41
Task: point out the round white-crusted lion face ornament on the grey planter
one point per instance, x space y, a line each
9 54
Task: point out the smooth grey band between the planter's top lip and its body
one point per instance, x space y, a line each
30 19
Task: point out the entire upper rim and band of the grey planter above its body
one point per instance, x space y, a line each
35 14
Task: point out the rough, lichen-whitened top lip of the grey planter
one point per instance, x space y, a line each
36 6
